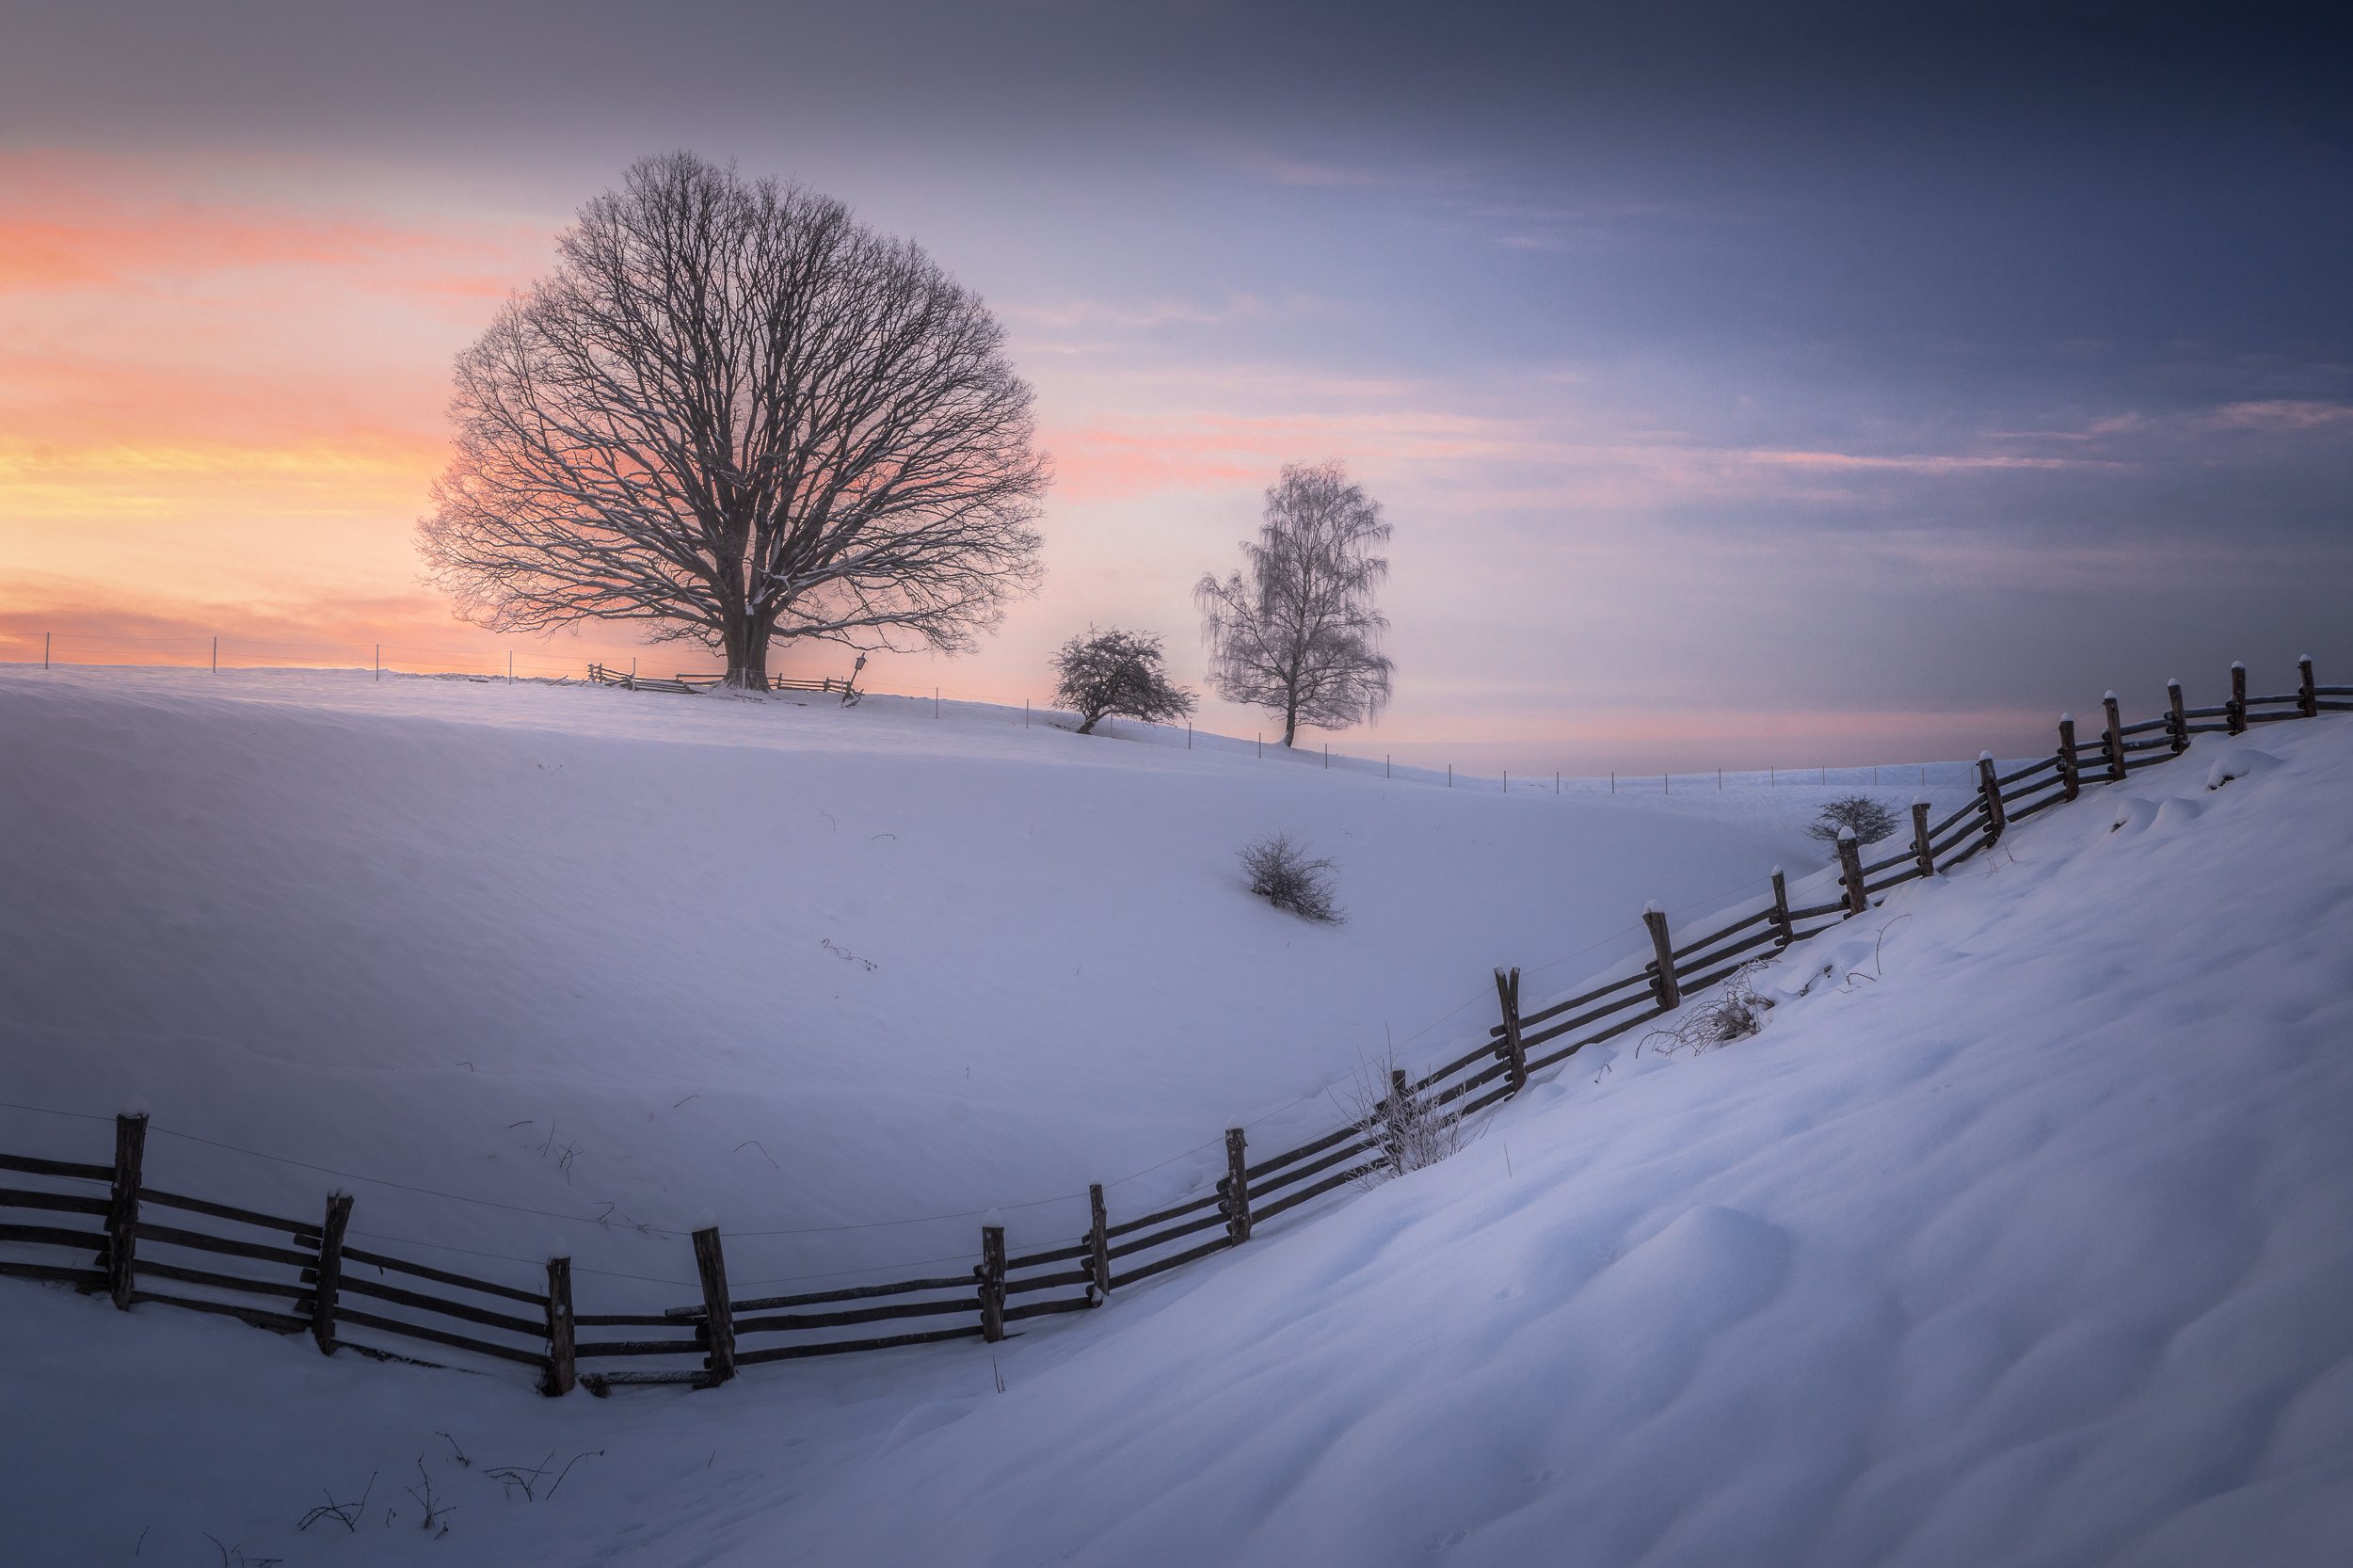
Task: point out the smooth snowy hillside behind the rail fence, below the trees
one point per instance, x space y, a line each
782 962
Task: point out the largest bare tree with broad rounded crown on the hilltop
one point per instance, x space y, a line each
735 416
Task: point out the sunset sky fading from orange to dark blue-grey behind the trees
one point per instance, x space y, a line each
1745 385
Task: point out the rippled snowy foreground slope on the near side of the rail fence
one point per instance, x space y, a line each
2015 1237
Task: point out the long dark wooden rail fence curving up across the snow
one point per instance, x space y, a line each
135 1237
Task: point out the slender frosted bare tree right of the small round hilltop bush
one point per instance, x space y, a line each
1295 632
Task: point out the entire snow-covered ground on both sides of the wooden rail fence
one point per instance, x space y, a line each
2018 1237
